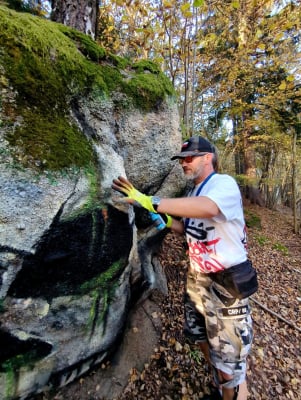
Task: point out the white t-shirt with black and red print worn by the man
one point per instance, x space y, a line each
220 242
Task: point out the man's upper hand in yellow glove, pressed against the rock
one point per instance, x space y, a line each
135 197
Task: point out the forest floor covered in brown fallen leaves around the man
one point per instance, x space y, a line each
177 371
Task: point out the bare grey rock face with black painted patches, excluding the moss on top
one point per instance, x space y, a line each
73 258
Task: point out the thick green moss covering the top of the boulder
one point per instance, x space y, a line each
48 66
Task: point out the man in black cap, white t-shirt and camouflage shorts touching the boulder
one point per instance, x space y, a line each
220 277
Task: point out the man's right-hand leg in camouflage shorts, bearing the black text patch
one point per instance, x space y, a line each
230 334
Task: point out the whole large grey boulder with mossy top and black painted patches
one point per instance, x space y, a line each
74 258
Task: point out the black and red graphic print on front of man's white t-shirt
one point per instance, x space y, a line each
201 246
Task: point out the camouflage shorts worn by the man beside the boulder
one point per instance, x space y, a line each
211 312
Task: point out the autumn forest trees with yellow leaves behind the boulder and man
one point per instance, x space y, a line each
235 66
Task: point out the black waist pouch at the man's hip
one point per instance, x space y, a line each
239 280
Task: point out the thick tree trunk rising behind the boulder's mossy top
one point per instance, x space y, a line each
79 14
